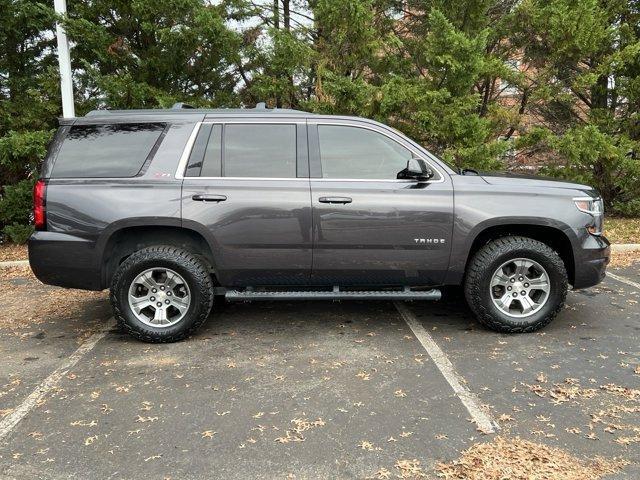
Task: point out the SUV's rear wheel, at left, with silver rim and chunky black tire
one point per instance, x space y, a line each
161 294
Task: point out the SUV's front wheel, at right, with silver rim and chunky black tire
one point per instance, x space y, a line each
516 284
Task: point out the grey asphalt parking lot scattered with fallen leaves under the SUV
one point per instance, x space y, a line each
311 389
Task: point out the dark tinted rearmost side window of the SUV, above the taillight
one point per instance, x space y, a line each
106 150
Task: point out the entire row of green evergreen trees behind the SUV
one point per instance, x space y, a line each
434 69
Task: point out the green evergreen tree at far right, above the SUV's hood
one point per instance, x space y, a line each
586 91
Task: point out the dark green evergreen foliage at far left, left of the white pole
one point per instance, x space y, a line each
29 103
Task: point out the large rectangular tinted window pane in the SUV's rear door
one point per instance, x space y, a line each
267 151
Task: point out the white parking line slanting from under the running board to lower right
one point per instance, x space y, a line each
483 421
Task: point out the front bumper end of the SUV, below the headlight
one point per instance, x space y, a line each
591 259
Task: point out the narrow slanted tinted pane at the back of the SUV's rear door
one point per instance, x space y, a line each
206 155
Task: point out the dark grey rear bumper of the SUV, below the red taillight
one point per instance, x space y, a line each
64 260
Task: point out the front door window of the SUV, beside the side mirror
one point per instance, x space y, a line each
352 152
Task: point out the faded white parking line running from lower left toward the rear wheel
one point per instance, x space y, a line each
10 421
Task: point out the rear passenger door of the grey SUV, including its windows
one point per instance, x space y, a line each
246 182
